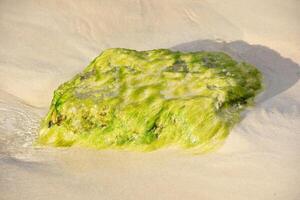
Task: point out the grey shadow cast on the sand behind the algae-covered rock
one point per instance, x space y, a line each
279 73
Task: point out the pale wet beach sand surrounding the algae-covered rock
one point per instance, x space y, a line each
44 43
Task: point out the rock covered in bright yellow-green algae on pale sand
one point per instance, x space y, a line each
144 100
